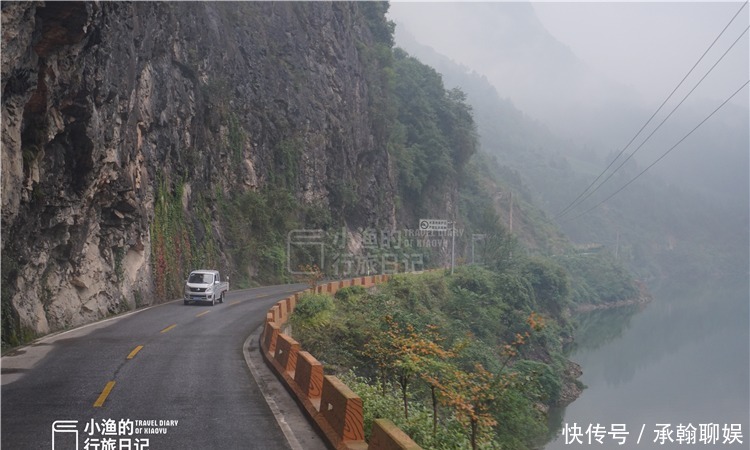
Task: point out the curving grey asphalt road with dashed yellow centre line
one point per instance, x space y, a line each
167 377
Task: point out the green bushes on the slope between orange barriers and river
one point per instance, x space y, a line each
478 312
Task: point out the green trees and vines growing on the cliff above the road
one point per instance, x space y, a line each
435 166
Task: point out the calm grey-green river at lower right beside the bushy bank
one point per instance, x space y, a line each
681 360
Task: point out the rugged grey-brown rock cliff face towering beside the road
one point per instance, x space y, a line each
103 103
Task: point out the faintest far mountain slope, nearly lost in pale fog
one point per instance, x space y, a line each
508 44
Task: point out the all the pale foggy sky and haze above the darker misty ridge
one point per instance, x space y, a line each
594 72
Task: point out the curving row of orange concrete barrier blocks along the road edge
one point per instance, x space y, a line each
329 403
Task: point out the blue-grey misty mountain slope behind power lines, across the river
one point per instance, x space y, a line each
692 218
